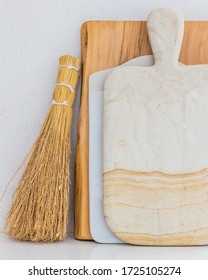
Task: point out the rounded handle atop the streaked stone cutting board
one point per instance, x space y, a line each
165 29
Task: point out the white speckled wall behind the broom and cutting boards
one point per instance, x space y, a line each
33 34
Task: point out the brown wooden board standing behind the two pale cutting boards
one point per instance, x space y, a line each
106 44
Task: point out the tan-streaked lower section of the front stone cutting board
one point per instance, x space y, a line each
154 208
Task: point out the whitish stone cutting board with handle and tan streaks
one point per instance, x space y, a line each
155 173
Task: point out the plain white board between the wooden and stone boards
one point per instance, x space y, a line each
99 230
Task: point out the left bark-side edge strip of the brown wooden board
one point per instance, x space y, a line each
81 198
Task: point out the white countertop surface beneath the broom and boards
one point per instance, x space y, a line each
71 249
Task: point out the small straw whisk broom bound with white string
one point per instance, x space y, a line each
39 209
